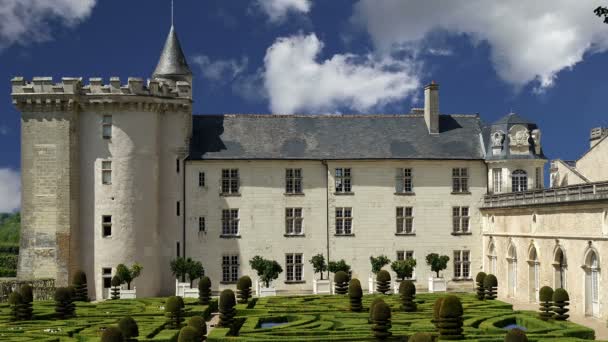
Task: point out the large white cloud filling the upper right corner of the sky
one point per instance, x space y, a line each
530 41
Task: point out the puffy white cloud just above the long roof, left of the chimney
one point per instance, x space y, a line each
296 81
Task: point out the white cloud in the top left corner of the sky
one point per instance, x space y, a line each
23 21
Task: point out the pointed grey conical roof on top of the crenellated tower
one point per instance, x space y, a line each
172 63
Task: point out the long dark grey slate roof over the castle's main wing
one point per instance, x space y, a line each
334 137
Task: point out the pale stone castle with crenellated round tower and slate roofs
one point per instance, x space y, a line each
115 173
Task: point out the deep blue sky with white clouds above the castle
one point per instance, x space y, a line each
543 60
